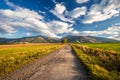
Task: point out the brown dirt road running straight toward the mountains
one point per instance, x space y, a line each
60 65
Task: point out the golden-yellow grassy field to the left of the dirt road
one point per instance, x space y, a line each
14 56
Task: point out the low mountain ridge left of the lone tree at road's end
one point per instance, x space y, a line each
33 39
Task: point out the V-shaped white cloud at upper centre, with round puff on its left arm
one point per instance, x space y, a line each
68 16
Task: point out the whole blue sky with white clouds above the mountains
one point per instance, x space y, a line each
60 18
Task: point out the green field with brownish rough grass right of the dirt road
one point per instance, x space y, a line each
101 61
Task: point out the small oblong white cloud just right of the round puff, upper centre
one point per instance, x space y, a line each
77 12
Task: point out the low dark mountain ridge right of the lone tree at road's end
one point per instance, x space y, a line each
90 39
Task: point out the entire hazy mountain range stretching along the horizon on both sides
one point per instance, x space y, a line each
43 39
